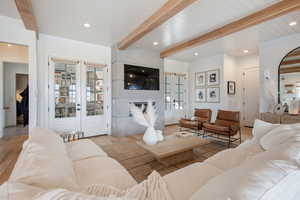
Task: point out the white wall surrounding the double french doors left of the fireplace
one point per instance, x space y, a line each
49 46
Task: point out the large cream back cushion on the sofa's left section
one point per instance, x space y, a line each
44 162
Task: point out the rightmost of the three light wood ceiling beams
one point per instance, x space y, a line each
271 12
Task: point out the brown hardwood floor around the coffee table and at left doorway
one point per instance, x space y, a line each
135 159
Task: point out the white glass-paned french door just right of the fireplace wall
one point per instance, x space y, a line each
175 97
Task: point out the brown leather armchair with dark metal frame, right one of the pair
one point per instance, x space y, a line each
225 127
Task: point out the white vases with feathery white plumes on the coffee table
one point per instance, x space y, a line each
147 119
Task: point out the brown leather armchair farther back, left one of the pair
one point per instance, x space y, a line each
201 116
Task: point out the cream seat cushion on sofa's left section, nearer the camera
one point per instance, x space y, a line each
102 170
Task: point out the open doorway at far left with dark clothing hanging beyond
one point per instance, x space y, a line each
14 80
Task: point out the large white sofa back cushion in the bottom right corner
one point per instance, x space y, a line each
250 181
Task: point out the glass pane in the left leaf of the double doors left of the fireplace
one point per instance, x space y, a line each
65 90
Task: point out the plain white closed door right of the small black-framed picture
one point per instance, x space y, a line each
250 96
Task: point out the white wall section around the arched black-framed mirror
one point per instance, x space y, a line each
271 53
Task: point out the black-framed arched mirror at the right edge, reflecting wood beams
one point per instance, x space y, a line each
289 77
